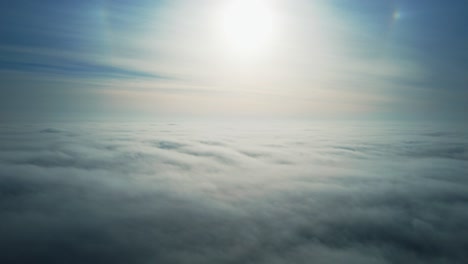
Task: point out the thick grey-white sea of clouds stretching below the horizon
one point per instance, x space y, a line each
233 193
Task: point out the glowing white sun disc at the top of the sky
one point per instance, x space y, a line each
247 26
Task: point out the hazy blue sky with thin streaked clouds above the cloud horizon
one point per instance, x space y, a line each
324 59
